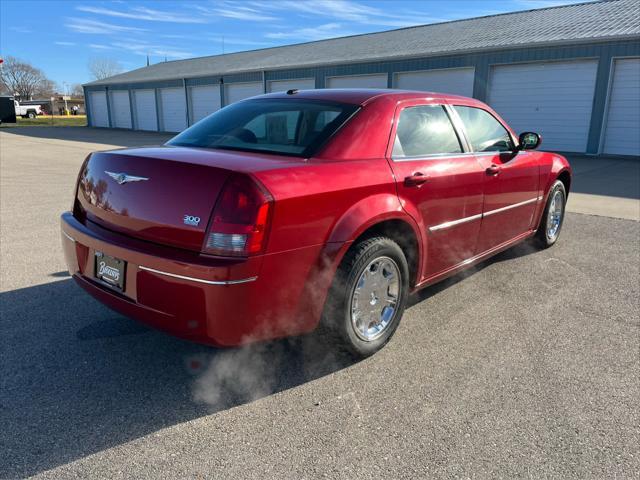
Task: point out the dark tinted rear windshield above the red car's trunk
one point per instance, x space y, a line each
281 126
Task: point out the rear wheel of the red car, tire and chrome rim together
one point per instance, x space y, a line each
368 296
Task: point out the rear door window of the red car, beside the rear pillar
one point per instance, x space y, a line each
425 130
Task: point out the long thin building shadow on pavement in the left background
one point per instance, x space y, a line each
106 136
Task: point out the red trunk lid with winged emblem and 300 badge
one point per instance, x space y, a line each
156 197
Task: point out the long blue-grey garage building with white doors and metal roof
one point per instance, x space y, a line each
571 73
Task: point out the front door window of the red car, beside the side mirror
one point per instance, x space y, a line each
484 132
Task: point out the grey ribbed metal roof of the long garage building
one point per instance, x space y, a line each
600 20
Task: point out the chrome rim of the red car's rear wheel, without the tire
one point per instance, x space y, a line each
374 298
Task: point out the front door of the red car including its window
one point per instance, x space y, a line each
510 180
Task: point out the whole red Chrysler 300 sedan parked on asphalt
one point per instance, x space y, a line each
290 210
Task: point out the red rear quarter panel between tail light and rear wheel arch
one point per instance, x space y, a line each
320 208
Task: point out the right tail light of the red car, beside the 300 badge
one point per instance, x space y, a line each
240 220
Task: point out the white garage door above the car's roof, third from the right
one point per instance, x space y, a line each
458 81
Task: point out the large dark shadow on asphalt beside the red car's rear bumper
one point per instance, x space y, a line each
78 379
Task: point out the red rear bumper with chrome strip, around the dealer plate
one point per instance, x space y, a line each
206 299
